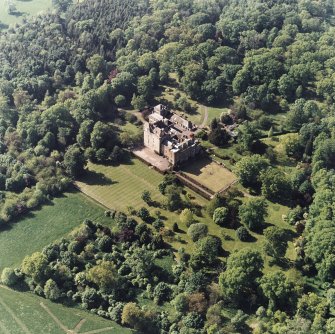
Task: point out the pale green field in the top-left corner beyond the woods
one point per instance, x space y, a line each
24 8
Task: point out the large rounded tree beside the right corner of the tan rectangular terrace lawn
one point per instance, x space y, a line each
249 168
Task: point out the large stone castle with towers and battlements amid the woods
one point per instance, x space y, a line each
170 136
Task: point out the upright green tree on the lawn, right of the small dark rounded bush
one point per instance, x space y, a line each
275 244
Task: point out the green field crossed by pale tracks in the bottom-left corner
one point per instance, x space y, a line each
25 313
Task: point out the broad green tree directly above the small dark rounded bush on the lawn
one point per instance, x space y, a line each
253 213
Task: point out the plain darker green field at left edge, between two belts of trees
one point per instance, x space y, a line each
41 227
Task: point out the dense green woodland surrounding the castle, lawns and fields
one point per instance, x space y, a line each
65 74
